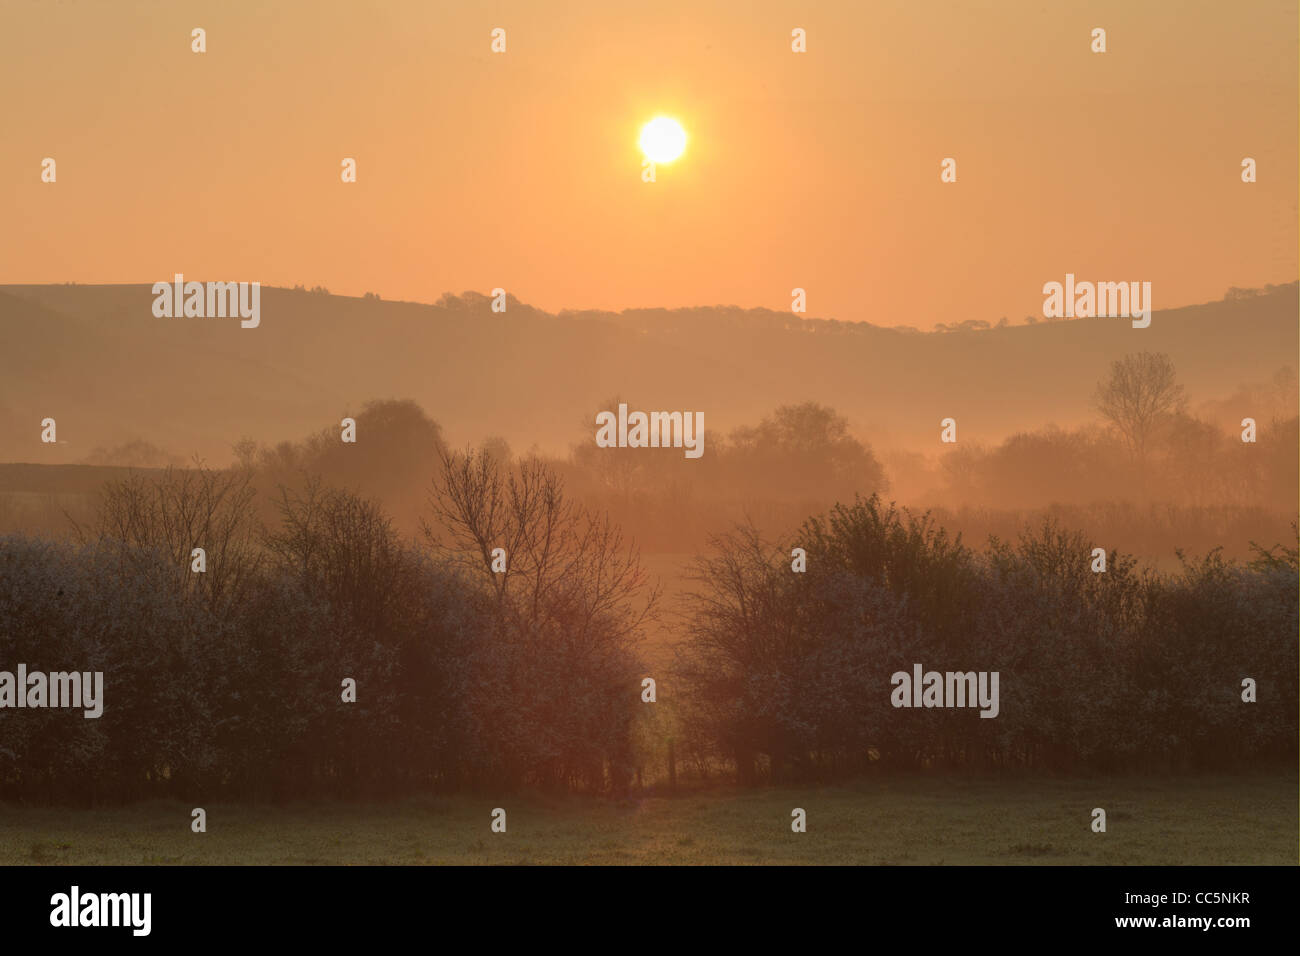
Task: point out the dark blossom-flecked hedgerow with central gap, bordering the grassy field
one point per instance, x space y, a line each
229 682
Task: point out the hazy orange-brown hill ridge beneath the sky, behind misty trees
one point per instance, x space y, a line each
98 361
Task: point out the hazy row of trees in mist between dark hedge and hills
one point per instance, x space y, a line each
1149 477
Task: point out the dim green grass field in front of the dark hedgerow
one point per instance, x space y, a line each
912 820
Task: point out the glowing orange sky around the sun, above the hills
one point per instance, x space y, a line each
523 171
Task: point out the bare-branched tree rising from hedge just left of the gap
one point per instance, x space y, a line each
560 671
